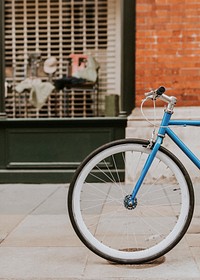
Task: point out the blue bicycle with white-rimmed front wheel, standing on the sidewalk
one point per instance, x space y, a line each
131 201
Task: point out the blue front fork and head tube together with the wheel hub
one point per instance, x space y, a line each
130 201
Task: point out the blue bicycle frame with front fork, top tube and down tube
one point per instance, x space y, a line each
163 130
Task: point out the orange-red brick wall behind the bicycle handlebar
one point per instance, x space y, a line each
168 48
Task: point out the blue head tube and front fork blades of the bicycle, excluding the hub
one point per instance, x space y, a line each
156 146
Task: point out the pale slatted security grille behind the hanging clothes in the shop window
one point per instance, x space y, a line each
58 28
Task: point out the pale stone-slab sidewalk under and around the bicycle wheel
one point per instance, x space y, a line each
38 242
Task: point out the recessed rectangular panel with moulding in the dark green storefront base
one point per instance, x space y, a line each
53 147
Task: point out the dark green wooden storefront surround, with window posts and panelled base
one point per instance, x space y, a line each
50 150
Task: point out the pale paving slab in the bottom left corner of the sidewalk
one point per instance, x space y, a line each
41 262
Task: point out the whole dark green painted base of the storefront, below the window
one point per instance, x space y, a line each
49 151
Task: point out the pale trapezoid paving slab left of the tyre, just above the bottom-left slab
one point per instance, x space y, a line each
43 230
